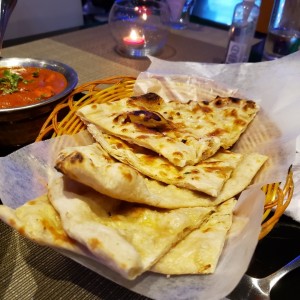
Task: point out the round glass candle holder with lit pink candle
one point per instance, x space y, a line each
138 27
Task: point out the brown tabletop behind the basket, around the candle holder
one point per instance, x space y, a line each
91 51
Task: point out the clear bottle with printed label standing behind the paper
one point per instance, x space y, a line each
242 31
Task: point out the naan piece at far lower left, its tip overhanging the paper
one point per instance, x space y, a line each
38 221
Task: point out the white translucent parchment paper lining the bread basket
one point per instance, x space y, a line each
274 85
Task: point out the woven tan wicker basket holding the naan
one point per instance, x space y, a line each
63 120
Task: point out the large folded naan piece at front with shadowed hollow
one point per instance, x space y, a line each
126 237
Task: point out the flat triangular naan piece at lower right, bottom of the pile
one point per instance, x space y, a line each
199 252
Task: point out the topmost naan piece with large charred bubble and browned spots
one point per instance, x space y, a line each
183 133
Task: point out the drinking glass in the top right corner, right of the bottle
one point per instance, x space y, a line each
283 35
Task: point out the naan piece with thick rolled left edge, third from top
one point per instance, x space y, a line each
92 166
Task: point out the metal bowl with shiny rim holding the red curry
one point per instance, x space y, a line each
20 125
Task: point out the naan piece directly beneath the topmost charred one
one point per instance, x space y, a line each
207 176
